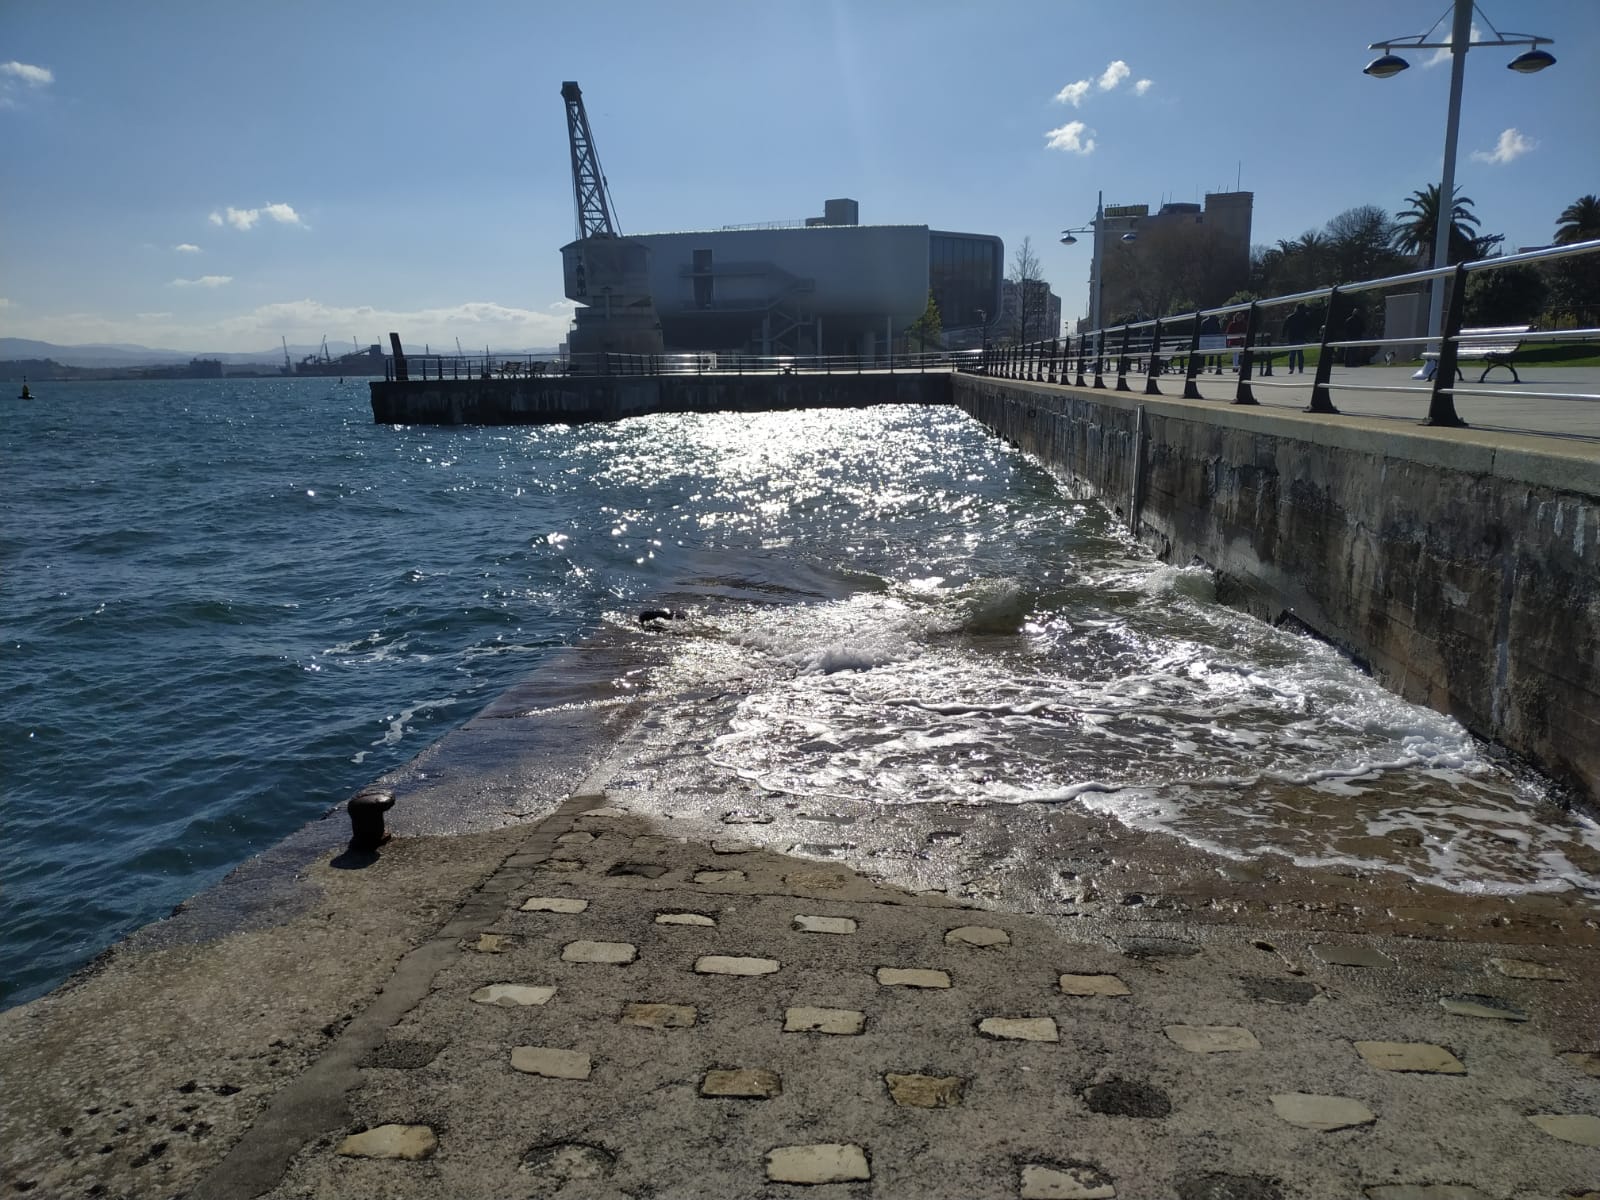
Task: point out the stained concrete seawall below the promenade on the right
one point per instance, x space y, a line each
1462 567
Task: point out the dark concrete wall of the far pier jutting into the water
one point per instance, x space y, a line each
562 401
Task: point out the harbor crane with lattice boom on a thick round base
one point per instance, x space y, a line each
606 273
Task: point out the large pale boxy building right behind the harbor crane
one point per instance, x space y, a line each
826 286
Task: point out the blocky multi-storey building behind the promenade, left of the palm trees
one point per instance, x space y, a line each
1182 257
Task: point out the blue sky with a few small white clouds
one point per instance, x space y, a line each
217 177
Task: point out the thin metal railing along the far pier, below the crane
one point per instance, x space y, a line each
466 367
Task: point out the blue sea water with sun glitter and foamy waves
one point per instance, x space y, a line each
230 604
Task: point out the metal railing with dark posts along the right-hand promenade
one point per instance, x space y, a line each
1150 348
